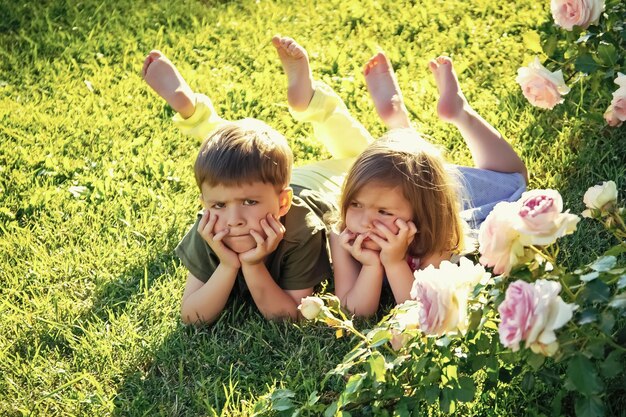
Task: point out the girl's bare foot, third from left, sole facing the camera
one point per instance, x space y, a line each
383 87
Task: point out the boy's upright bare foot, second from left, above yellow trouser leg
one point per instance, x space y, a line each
296 65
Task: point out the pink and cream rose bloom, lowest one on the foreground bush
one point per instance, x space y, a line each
531 313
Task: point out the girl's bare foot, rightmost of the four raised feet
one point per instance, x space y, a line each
452 102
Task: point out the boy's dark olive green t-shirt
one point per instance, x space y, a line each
301 259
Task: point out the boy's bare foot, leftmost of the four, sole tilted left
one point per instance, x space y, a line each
164 78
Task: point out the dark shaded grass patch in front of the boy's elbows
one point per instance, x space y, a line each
208 370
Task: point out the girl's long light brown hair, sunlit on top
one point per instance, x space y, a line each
404 159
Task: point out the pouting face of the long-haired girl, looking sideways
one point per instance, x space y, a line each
377 204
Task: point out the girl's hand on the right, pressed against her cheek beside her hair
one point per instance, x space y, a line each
394 246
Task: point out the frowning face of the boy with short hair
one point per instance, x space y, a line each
240 208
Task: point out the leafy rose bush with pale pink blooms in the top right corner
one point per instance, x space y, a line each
586 44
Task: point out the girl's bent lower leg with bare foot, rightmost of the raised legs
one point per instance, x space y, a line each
489 149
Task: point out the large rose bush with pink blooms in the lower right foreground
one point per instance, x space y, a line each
466 331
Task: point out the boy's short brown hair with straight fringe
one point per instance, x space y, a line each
244 152
